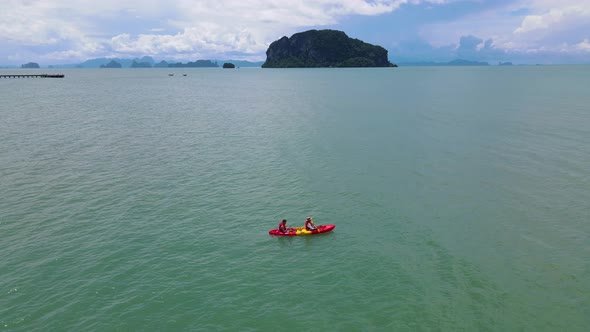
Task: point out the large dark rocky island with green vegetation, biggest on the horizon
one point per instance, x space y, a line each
324 48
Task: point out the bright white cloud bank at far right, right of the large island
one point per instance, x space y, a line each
526 31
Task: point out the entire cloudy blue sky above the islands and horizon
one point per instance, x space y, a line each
70 31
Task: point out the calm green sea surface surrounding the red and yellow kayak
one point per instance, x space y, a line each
131 200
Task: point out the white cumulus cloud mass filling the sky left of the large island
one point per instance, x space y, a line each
169 28
